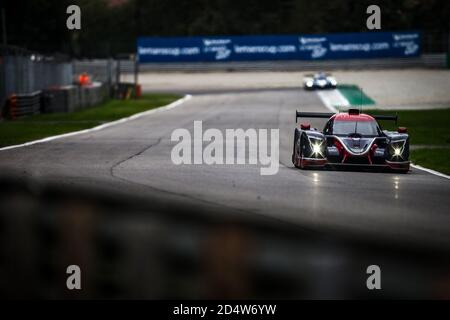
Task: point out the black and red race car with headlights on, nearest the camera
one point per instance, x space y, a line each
350 139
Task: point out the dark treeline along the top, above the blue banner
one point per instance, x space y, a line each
110 27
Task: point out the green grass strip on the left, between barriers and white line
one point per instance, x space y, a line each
46 125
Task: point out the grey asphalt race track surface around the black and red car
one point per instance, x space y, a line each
135 157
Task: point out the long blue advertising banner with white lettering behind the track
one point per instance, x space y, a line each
292 47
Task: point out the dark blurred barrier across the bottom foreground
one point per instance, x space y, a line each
153 247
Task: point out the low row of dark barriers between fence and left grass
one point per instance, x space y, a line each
55 99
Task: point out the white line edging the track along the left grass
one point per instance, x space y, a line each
103 126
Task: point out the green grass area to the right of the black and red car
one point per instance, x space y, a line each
425 127
